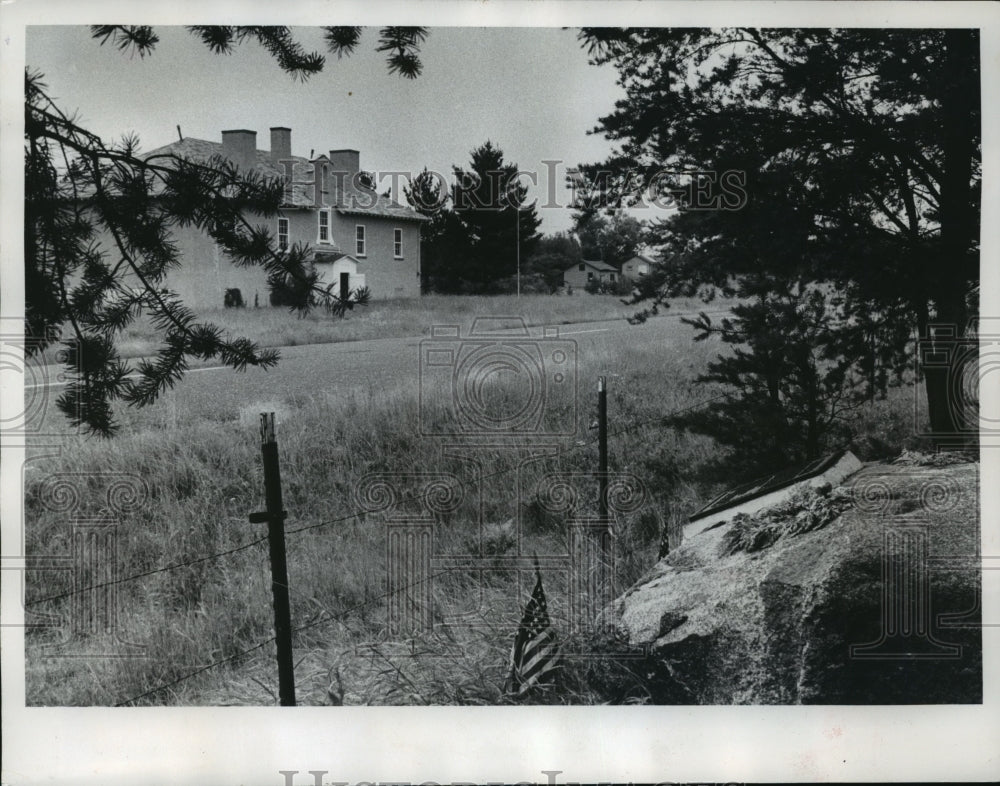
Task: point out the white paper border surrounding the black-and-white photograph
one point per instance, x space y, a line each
497 744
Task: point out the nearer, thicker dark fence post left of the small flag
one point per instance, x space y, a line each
275 518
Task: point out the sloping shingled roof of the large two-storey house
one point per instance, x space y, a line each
352 199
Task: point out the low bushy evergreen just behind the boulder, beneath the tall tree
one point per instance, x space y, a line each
793 373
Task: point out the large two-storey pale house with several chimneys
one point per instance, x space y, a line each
358 237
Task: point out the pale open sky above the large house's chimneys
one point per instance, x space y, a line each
529 90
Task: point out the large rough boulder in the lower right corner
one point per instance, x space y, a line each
810 617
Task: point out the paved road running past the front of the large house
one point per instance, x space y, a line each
218 393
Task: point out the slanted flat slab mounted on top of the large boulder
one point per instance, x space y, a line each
768 491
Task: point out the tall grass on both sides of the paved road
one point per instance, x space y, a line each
192 604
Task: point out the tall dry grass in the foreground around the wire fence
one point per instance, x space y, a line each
204 478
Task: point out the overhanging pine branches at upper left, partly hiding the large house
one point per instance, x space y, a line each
78 188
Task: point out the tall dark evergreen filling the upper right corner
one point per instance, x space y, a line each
844 158
